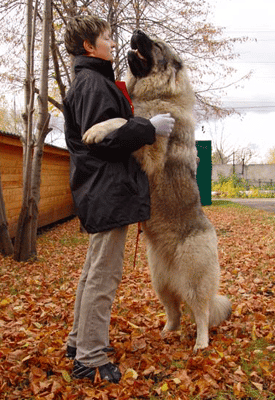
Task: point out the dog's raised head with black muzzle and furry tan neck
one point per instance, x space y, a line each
155 70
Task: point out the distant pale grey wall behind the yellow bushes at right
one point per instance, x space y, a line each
255 174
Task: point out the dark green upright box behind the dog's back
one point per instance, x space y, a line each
204 171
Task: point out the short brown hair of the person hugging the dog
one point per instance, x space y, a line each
81 28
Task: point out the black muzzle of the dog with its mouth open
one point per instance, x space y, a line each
140 57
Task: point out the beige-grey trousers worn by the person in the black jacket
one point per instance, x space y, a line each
101 275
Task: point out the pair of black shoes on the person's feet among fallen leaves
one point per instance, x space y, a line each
108 372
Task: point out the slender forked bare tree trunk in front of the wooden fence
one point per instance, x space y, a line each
25 240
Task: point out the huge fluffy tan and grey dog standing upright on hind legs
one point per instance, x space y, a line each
181 241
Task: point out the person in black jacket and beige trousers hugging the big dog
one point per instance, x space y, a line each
109 189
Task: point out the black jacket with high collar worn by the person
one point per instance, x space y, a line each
109 188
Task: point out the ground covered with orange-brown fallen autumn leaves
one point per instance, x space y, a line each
36 314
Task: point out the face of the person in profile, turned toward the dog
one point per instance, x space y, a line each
103 47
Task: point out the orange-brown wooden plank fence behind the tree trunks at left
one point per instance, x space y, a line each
56 200
